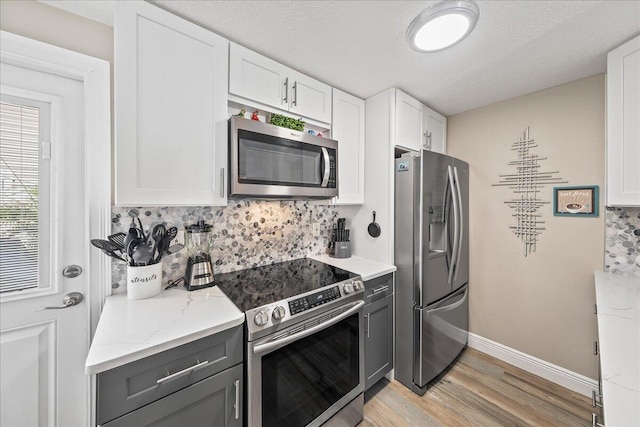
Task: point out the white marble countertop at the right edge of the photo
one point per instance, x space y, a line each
618 303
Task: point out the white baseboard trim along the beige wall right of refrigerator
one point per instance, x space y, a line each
548 371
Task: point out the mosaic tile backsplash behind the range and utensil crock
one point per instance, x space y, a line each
245 233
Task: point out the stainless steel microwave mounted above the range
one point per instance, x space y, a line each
271 162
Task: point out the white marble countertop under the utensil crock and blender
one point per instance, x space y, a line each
130 330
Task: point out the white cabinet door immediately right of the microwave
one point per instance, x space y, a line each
348 129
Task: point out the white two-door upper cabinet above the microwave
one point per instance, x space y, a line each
270 84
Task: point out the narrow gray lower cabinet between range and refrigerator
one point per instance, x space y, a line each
378 314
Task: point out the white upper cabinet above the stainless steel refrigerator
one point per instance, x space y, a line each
418 126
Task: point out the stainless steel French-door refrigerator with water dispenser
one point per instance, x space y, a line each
432 258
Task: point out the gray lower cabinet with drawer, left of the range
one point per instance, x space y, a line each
195 384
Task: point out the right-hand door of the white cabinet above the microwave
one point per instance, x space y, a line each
309 98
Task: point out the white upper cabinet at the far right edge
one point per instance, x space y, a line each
623 125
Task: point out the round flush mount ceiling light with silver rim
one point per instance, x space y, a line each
443 25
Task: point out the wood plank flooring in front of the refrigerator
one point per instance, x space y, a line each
479 390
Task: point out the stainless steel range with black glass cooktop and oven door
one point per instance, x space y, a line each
305 342
